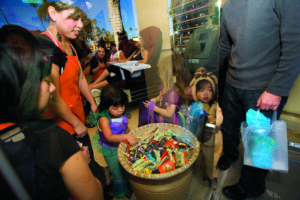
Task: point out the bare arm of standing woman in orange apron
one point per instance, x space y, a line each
60 107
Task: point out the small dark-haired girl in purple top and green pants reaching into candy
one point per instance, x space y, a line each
113 129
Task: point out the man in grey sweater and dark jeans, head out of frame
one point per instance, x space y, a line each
263 39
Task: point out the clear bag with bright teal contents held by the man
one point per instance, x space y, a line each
265 142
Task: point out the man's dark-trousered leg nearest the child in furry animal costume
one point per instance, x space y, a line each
232 118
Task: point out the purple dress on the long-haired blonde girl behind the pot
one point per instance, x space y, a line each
147 116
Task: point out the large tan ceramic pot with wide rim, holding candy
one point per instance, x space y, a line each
167 186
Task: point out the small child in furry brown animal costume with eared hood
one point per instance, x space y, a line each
203 89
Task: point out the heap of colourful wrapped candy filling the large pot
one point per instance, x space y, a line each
158 152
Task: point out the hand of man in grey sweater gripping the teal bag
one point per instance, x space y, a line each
268 101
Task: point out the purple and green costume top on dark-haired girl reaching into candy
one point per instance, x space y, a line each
117 126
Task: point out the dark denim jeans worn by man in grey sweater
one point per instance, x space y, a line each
236 102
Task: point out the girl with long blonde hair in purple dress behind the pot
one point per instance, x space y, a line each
164 107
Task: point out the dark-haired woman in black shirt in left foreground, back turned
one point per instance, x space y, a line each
49 162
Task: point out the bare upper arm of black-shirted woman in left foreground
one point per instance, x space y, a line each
79 180
